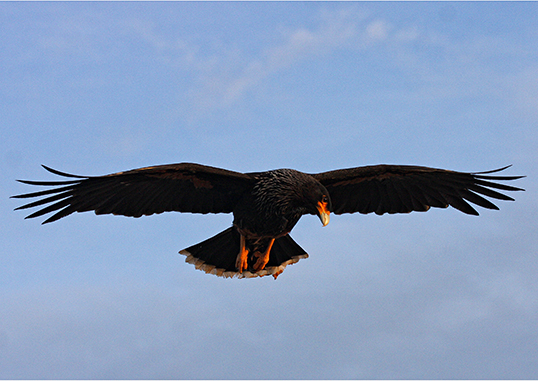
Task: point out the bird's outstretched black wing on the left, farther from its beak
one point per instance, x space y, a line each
184 187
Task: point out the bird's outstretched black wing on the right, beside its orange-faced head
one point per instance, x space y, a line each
402 189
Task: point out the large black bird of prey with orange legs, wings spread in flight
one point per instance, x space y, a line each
265 205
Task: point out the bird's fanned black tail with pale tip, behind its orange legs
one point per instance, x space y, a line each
217 255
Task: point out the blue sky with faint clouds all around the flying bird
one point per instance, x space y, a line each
97 88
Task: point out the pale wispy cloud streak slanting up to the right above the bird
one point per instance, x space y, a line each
344 29
